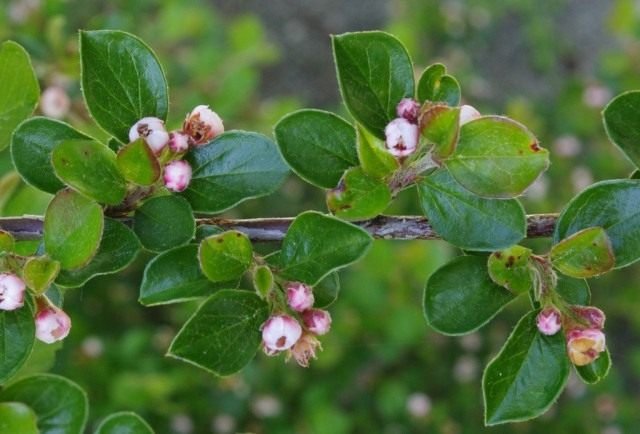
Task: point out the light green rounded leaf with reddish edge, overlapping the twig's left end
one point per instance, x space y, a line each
72 229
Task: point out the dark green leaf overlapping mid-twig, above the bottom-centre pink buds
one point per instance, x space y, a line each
316 244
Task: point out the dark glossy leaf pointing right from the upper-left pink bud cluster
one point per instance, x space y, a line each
235 167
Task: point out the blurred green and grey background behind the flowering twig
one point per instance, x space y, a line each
551 64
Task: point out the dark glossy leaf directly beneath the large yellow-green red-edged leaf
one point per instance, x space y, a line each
469 221
